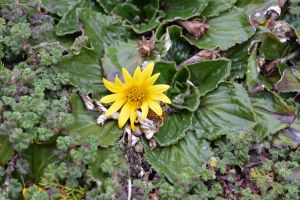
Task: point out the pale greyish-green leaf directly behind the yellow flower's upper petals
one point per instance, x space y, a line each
124 55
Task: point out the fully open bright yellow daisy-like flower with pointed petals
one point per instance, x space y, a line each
137 92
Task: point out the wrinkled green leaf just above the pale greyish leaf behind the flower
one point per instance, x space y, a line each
101 29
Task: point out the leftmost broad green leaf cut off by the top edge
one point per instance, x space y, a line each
58 7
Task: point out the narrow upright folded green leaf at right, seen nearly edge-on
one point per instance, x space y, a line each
252 71
